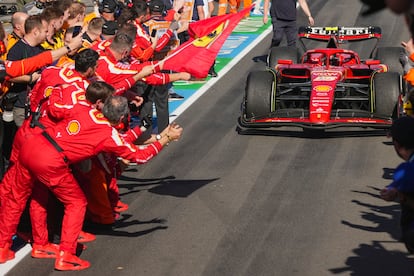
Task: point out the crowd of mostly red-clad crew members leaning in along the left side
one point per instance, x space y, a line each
60 60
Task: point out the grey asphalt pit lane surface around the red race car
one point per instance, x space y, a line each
270 203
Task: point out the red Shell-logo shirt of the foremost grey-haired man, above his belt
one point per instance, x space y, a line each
85 132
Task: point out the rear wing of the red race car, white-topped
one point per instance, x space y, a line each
338 35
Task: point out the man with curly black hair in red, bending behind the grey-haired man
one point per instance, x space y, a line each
76 79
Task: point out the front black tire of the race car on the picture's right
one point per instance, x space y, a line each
386 89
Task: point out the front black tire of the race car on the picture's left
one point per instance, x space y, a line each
258 94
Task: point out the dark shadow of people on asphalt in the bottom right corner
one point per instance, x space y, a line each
374 258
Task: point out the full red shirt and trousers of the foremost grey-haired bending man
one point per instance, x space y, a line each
77 137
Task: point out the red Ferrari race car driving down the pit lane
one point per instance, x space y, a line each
329 87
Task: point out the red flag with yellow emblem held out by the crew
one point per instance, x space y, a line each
197 55
